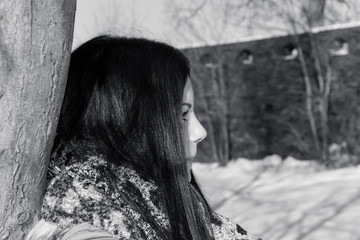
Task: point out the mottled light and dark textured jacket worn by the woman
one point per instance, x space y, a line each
80 191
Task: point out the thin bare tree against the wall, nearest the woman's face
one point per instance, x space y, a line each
212 32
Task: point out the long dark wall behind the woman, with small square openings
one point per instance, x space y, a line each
265 94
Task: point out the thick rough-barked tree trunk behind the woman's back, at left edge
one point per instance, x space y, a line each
35 46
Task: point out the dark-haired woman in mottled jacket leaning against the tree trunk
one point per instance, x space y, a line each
127 136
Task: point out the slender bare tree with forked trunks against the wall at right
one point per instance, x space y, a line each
302 17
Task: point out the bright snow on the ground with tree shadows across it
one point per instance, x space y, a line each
285 199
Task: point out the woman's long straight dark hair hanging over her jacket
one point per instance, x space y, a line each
123 99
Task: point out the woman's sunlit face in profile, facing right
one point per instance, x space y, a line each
194 132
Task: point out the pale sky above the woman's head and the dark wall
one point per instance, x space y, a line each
213 24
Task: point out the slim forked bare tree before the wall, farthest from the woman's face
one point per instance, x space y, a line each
301 17
